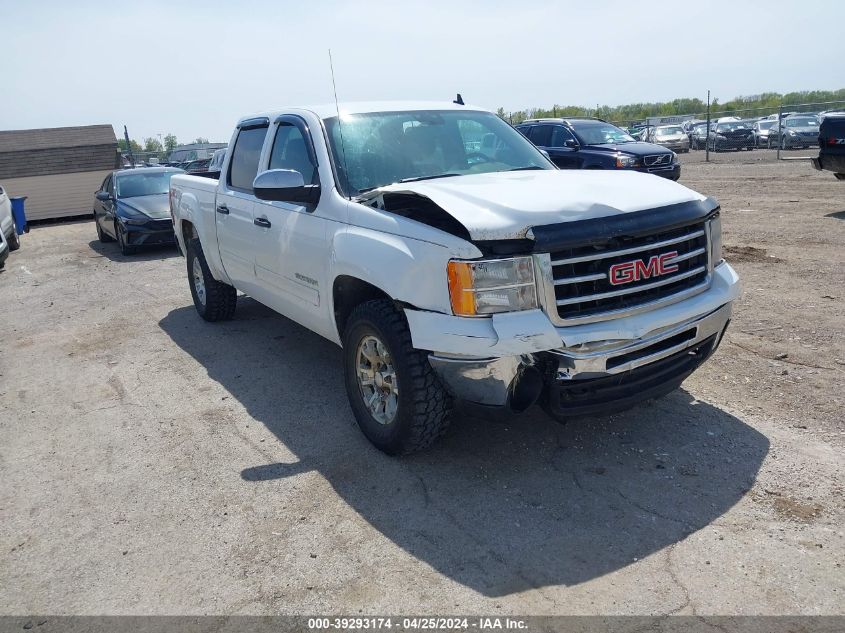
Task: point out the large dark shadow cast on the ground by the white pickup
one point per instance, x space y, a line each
498 507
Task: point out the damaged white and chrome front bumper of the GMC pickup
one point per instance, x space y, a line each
491 359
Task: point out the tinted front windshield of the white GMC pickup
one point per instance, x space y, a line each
382 148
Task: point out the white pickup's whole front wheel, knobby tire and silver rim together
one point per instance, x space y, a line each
397 399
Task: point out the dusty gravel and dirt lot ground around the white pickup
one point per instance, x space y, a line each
154 463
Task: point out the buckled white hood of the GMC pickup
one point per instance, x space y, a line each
506 205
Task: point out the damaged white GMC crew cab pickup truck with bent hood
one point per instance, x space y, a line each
454 263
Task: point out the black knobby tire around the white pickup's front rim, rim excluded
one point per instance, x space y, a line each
424 408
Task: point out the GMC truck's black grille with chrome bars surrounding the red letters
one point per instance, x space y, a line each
582 284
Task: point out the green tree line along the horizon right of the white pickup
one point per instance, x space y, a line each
765 103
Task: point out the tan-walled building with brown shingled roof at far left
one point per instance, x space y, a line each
58 169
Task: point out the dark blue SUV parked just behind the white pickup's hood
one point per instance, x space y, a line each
595 144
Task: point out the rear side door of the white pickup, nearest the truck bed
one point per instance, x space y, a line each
236 232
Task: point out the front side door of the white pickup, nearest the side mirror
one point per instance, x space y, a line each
291 253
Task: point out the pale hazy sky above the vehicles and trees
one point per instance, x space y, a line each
194 67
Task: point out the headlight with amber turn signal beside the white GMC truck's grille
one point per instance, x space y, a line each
487 287
